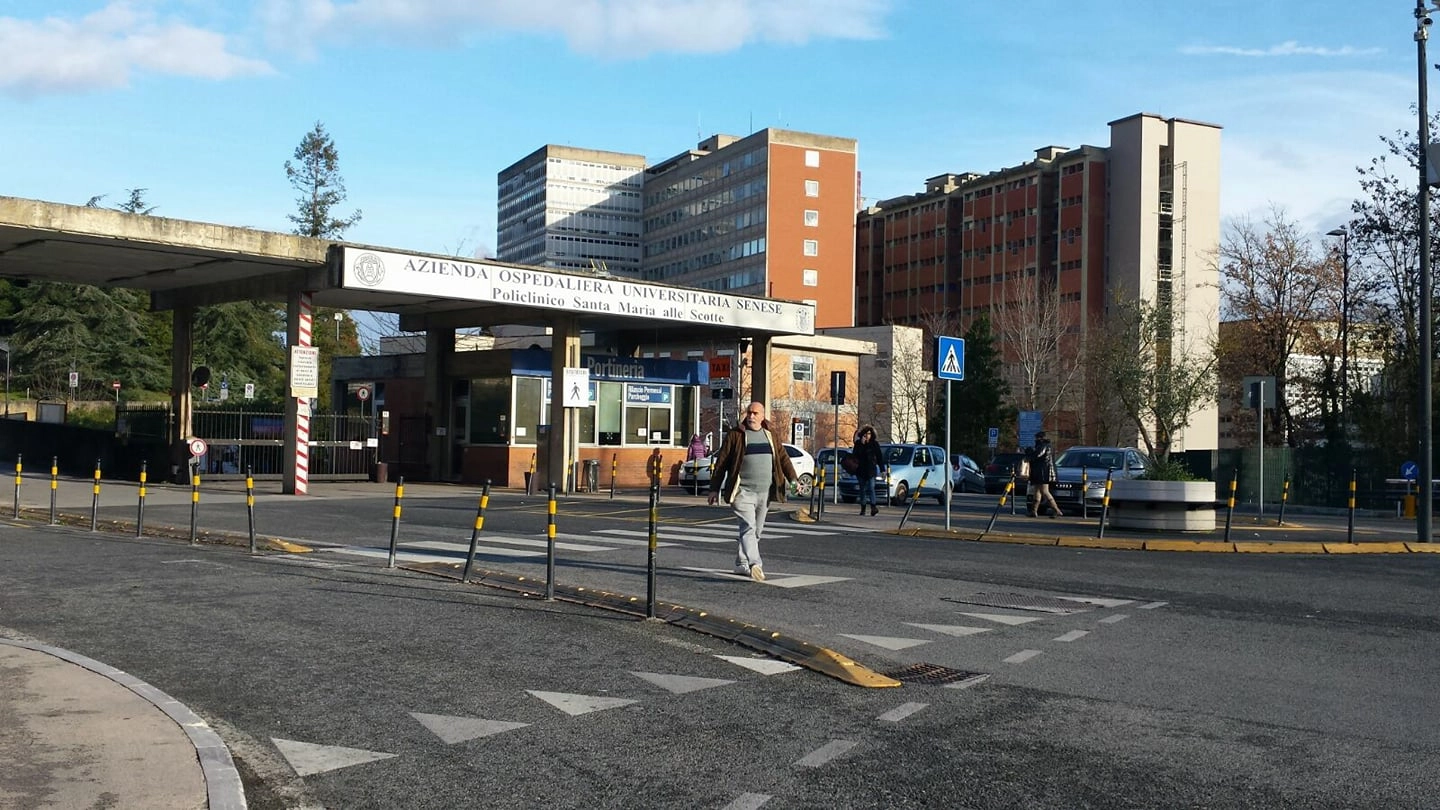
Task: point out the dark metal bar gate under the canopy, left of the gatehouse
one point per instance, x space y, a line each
256 440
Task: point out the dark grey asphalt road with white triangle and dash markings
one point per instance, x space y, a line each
1104 680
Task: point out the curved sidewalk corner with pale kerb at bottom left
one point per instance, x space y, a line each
76 733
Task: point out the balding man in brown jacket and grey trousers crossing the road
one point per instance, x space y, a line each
751 472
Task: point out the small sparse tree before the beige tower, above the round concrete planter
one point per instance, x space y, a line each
1157 383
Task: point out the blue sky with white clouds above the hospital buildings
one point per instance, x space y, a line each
201 103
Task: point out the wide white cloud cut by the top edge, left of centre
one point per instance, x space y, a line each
608 28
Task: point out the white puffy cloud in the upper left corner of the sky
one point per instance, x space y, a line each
107 48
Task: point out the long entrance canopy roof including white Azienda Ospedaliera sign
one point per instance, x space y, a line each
184 263
